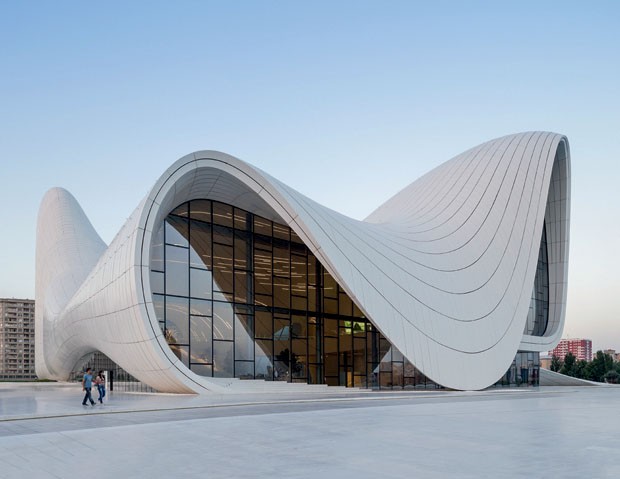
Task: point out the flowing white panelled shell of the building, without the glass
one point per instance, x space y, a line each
444 269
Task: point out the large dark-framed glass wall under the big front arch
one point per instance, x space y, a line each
238 295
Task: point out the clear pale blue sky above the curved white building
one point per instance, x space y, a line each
346 101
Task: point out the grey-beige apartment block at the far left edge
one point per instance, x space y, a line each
16 339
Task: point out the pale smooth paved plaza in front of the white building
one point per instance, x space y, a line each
544 432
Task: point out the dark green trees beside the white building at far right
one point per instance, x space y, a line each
602 368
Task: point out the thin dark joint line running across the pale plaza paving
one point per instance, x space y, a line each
265 403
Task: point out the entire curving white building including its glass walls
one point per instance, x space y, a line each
223 273
